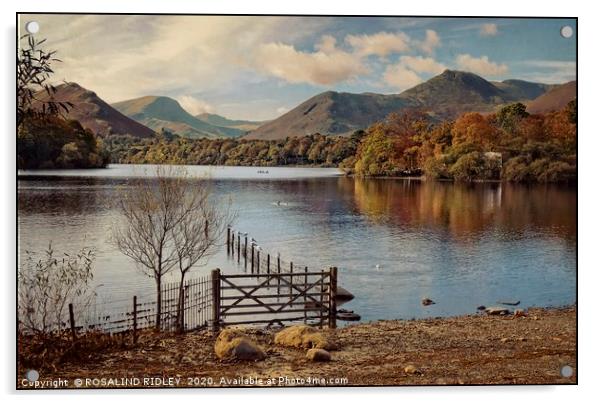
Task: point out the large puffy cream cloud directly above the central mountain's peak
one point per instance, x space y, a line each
320 68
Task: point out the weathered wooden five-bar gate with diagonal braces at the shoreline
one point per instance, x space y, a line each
274 298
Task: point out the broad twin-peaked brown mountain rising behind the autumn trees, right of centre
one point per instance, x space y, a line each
444 96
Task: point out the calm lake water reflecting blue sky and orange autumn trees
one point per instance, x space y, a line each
394 241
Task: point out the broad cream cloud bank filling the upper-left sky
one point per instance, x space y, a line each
123 57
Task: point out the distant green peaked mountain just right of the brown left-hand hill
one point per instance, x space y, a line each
159 112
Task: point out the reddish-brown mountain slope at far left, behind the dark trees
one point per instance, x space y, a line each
95 114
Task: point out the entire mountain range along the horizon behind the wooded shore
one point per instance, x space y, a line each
444 96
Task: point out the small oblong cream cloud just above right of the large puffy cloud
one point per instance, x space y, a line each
380 44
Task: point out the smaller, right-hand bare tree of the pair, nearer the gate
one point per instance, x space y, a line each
199 235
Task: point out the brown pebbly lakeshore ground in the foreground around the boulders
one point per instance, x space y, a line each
475 349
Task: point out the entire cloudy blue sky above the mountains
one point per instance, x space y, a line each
257 68
